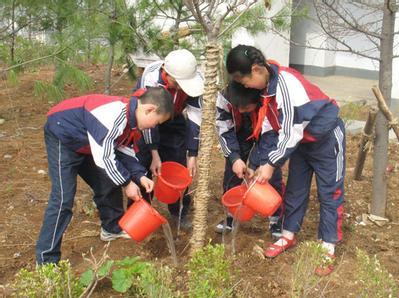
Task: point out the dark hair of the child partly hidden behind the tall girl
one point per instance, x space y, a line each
239 96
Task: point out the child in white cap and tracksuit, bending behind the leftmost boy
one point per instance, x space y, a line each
177 139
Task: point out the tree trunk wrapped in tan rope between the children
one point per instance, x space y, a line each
202 194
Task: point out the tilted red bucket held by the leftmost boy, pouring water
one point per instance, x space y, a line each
140 220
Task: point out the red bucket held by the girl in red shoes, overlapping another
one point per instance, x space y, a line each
263 198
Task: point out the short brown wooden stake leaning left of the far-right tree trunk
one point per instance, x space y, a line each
363 147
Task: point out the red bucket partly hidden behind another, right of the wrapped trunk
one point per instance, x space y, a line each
232 199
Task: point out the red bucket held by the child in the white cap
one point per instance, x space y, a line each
172 182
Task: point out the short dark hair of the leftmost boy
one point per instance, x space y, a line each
161 98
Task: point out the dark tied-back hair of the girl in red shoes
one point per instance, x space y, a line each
241 58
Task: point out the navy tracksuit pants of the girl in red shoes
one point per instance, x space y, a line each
326 159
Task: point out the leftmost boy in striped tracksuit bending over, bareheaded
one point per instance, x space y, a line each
95 137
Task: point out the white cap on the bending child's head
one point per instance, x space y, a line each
182 66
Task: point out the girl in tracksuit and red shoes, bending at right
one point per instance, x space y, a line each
297 121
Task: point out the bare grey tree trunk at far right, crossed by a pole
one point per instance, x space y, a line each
379 193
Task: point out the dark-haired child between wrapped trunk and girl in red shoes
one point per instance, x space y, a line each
234 123
